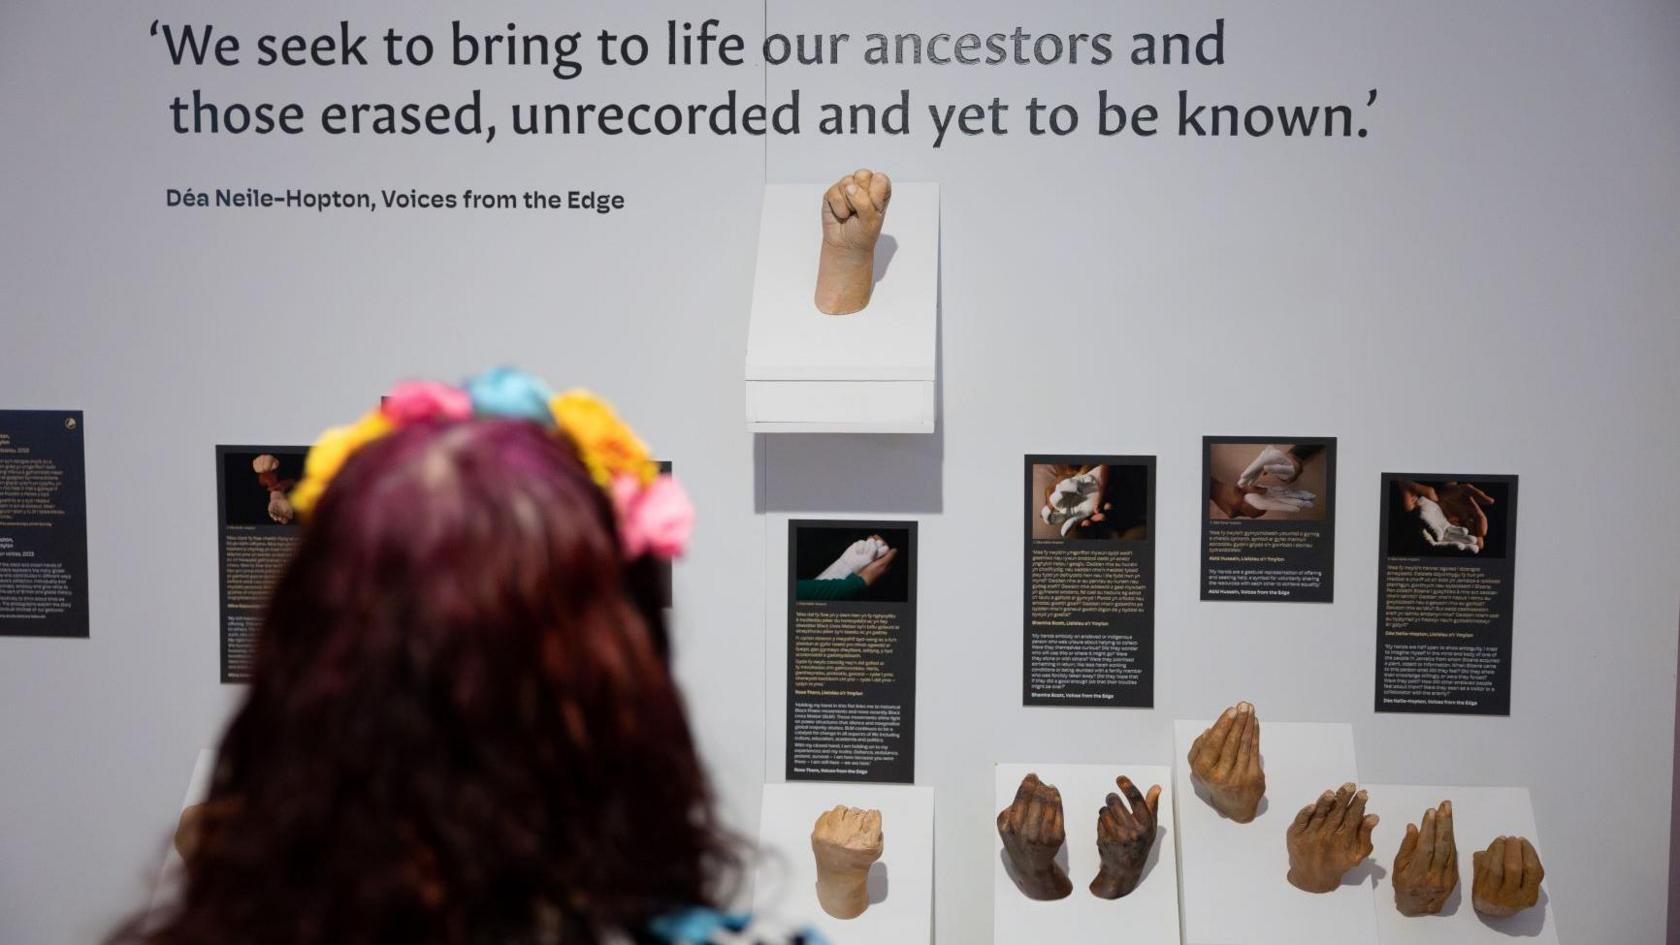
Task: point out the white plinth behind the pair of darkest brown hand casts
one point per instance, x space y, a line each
1148 914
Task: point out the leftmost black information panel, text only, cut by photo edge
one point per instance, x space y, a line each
43 525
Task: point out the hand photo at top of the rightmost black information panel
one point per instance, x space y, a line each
1446 517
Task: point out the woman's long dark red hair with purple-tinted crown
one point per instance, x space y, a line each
463 724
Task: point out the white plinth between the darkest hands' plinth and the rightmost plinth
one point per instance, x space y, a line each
1234 877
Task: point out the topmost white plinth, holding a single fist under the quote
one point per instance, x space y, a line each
866 372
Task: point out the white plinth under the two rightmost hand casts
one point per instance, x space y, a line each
1479 816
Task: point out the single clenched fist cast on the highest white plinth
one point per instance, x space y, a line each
853 214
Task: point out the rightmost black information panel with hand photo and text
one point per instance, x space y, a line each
1446 591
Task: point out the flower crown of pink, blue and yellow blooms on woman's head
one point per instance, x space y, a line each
653 509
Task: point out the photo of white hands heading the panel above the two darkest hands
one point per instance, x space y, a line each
1091 502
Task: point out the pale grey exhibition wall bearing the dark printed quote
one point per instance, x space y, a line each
1486 283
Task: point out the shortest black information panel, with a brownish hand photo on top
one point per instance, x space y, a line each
1269 519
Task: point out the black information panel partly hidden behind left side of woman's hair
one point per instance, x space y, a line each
258 531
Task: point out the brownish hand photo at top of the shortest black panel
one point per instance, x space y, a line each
1252 480
